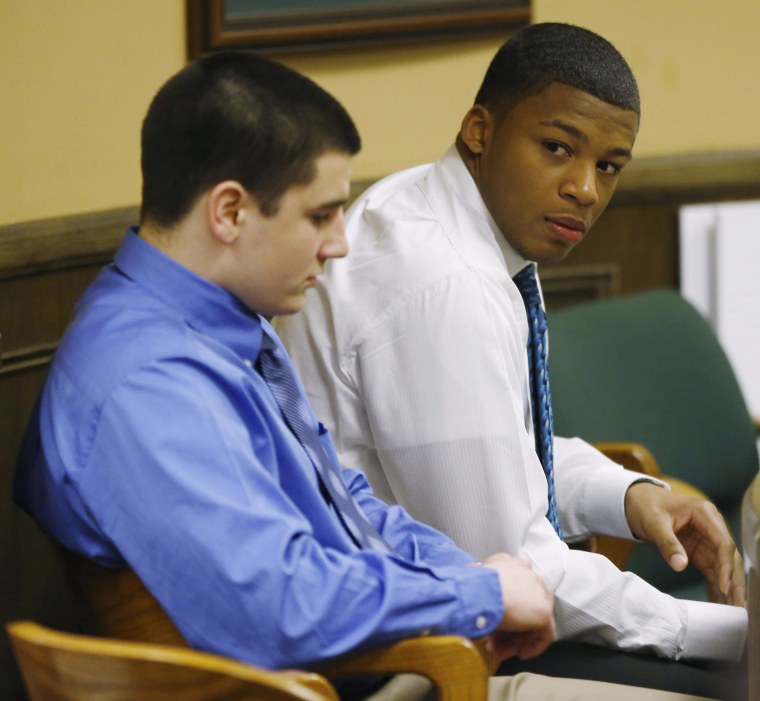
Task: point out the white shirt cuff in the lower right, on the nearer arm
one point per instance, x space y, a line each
713 632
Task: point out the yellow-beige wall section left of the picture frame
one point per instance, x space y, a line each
76 78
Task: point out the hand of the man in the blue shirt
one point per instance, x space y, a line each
527 628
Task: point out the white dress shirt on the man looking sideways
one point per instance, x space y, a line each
413 351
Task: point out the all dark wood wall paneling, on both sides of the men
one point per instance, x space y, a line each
45 266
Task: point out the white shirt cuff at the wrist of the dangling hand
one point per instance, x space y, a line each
606 515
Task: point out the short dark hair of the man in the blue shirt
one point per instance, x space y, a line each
235 115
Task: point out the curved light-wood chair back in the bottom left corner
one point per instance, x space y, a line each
63 667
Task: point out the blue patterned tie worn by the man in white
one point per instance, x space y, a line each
540 396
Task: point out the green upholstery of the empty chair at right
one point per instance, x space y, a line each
648 368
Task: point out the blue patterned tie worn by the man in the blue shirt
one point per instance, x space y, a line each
281 381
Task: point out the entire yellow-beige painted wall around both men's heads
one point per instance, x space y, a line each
78 75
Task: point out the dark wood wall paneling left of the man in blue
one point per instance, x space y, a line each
44 267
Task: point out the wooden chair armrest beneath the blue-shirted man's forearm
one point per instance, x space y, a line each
453 664
